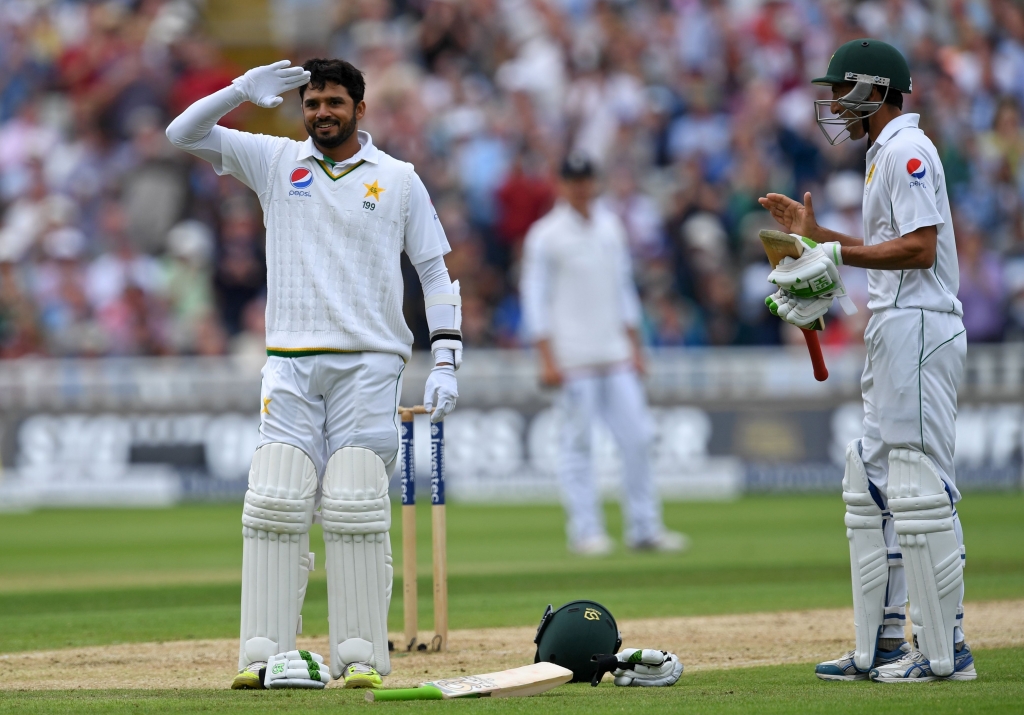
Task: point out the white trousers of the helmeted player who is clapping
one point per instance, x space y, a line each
915 364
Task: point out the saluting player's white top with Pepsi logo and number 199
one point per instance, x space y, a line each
334 239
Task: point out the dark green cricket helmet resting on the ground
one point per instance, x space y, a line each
572 636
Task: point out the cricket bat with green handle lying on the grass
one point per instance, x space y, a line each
529 681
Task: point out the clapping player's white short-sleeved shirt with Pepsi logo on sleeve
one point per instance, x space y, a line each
906 190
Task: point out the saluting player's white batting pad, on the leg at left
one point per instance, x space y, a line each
276 557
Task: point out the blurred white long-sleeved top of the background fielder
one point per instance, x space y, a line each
578 289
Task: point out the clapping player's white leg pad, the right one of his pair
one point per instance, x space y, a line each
924 524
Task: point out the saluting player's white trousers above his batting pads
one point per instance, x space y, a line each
323 403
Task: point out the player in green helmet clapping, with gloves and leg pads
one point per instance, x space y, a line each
900 487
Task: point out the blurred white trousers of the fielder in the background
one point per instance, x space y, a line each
618 398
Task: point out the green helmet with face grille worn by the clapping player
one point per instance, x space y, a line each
865 64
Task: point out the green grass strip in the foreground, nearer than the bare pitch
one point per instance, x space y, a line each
763 691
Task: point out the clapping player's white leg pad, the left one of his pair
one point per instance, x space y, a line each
869 558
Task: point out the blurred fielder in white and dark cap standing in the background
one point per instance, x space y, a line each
582 311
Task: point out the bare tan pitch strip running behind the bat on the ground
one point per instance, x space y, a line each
702 643
